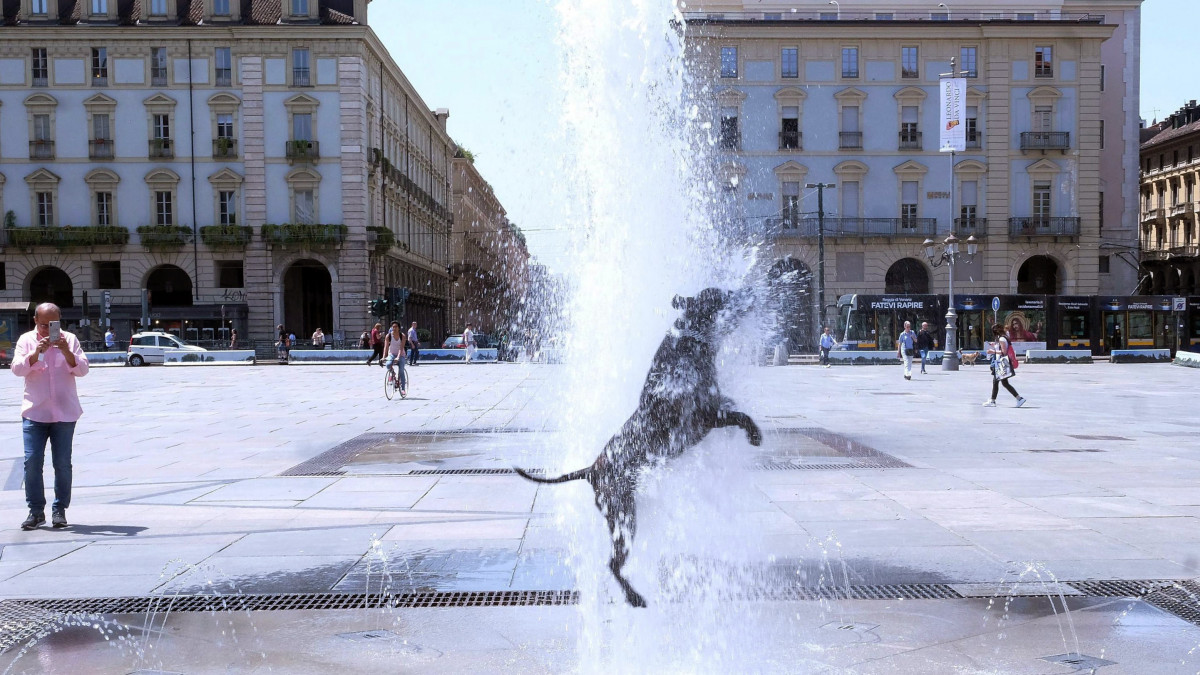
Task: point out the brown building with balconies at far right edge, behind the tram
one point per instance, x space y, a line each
1171 230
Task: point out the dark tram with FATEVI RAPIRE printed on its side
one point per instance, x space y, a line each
1099 324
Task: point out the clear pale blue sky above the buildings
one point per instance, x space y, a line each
495 65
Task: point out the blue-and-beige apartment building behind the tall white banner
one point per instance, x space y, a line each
848 94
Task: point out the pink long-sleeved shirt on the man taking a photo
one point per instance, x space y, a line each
50 384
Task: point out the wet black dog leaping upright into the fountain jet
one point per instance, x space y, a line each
681 404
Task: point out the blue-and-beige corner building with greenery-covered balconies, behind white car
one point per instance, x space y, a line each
249 163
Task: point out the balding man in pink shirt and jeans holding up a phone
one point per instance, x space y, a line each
50 360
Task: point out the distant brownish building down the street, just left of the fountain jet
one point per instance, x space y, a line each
489 258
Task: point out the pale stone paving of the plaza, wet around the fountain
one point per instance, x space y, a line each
885 527
